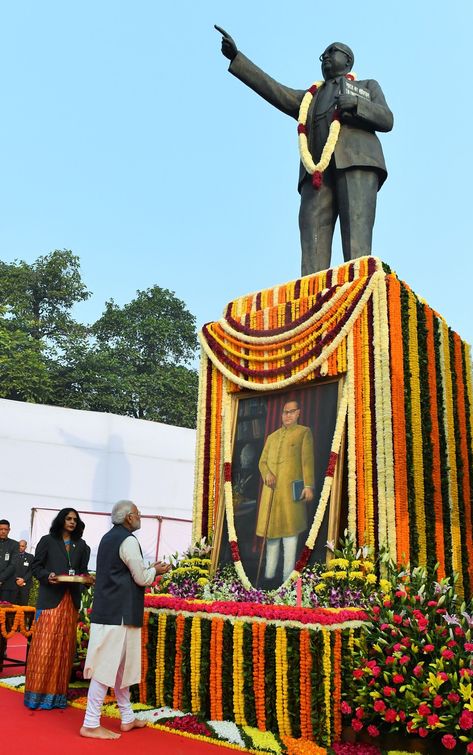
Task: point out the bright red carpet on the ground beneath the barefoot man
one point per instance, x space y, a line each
56 732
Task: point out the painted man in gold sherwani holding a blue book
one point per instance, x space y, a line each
287 468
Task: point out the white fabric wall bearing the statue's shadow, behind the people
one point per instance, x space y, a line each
52 457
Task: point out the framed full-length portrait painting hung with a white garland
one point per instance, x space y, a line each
281 448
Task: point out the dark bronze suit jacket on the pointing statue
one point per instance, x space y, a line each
357 145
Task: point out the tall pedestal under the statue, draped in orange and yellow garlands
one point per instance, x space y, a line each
405 409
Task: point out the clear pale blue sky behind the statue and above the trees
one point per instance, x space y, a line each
124 139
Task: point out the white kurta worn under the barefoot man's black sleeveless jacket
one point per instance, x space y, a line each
109 643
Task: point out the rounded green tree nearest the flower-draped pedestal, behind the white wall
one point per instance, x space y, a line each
139 364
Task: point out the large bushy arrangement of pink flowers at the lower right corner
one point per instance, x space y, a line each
413 671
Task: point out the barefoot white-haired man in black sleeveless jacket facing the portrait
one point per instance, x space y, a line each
114 651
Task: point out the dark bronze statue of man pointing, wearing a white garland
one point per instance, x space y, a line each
337 128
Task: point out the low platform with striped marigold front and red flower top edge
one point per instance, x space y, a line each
274 667
